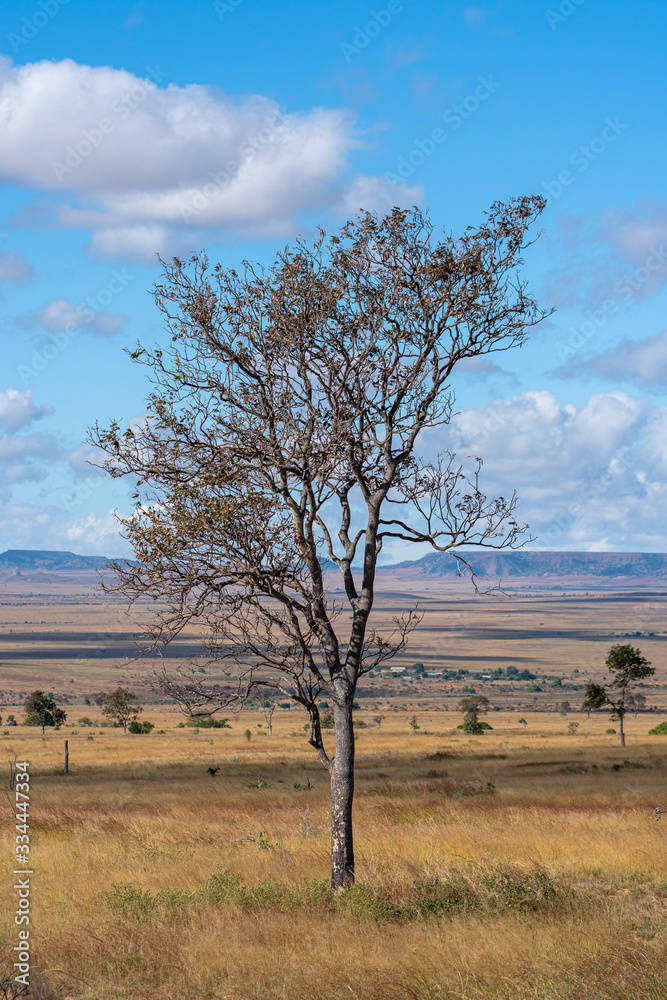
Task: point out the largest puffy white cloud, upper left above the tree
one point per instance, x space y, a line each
152 166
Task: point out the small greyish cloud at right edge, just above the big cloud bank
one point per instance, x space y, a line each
643 362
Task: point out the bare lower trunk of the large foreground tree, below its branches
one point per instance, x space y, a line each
342 792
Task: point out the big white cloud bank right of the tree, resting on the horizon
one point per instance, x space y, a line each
588 477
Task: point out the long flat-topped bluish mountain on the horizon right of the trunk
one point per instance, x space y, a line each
536 564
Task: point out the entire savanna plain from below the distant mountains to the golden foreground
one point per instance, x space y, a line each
527 862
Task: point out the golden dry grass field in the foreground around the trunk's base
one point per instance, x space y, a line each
517 864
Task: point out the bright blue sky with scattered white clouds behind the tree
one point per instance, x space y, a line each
132 129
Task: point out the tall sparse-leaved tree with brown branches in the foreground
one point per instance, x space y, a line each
282 432
